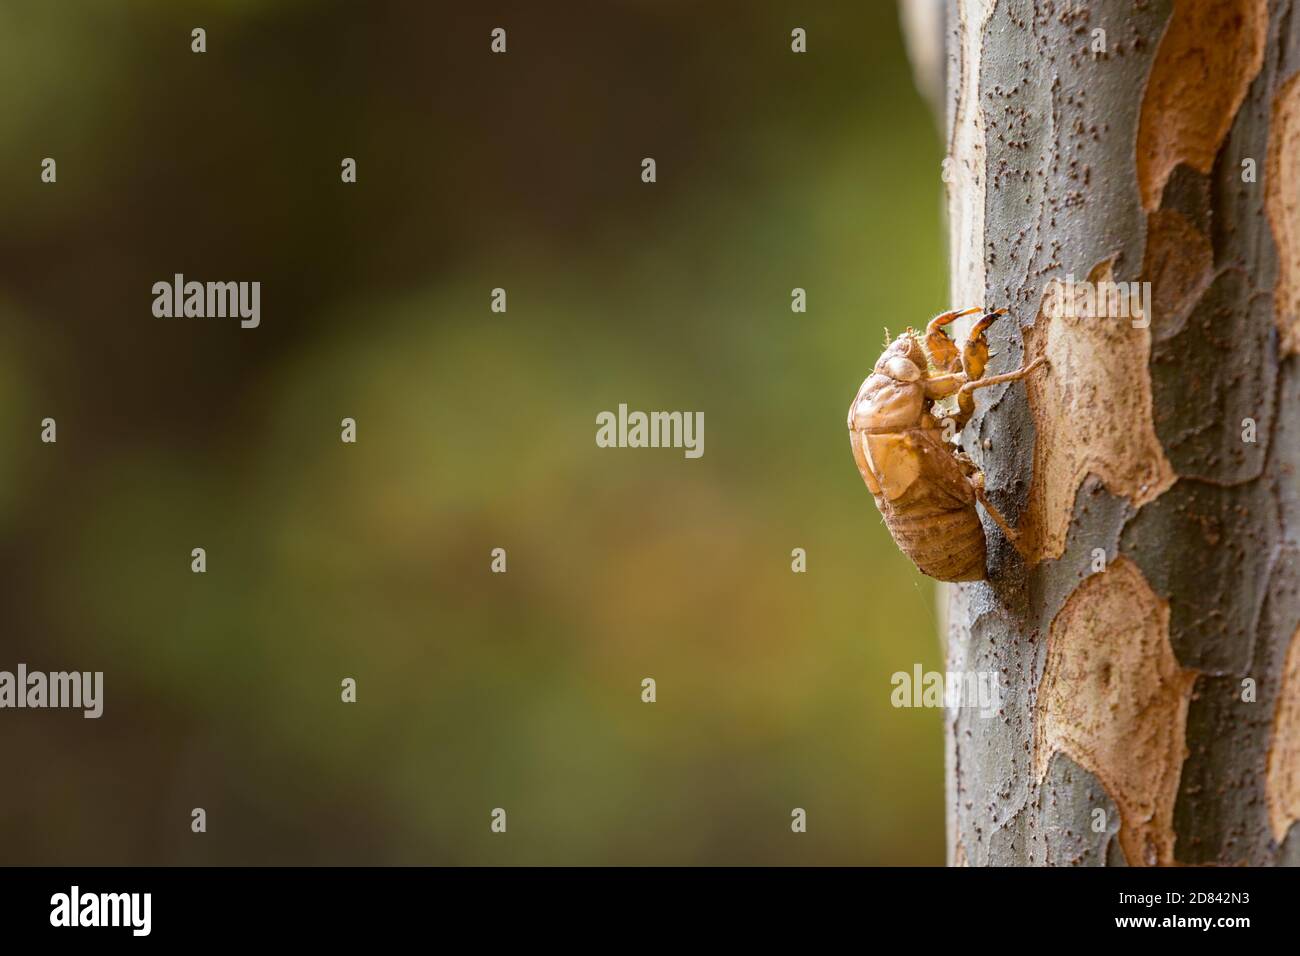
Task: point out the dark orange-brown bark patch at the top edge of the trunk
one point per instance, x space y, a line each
1211 53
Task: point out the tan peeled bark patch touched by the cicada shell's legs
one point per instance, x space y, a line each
1093 413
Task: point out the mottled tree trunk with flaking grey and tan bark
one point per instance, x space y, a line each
1146 646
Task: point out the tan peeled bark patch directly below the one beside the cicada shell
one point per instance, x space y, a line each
1115 700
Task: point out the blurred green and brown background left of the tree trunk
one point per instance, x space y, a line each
476 431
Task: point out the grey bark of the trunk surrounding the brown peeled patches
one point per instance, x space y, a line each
1220 544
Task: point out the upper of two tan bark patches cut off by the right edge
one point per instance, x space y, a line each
1282 201
